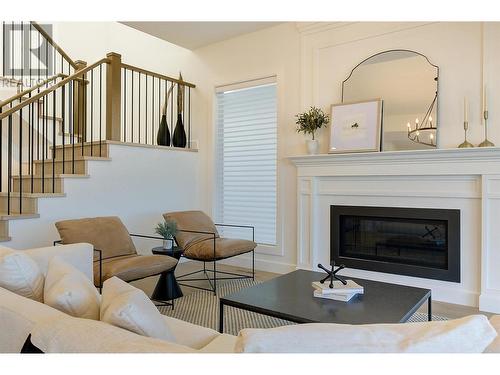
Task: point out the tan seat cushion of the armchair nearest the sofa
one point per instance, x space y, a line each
133 267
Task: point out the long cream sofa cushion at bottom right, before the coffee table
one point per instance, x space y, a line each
471 334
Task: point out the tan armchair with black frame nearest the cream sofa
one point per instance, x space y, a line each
119 256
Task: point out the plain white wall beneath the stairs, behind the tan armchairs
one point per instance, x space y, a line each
138 185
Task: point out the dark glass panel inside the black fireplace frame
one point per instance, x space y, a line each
407 241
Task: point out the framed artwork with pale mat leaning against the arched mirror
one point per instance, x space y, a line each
356 127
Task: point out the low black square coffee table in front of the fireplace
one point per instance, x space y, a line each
290 297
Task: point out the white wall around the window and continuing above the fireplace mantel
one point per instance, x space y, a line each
312 59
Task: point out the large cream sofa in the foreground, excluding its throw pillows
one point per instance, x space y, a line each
54 331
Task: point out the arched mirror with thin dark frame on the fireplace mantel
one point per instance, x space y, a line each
407 83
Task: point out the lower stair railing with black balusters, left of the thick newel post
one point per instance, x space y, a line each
52 130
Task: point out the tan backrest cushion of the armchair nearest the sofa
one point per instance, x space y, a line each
107 234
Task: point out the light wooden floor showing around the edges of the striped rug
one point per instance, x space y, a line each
438 308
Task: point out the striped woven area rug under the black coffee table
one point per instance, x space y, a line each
202 308
